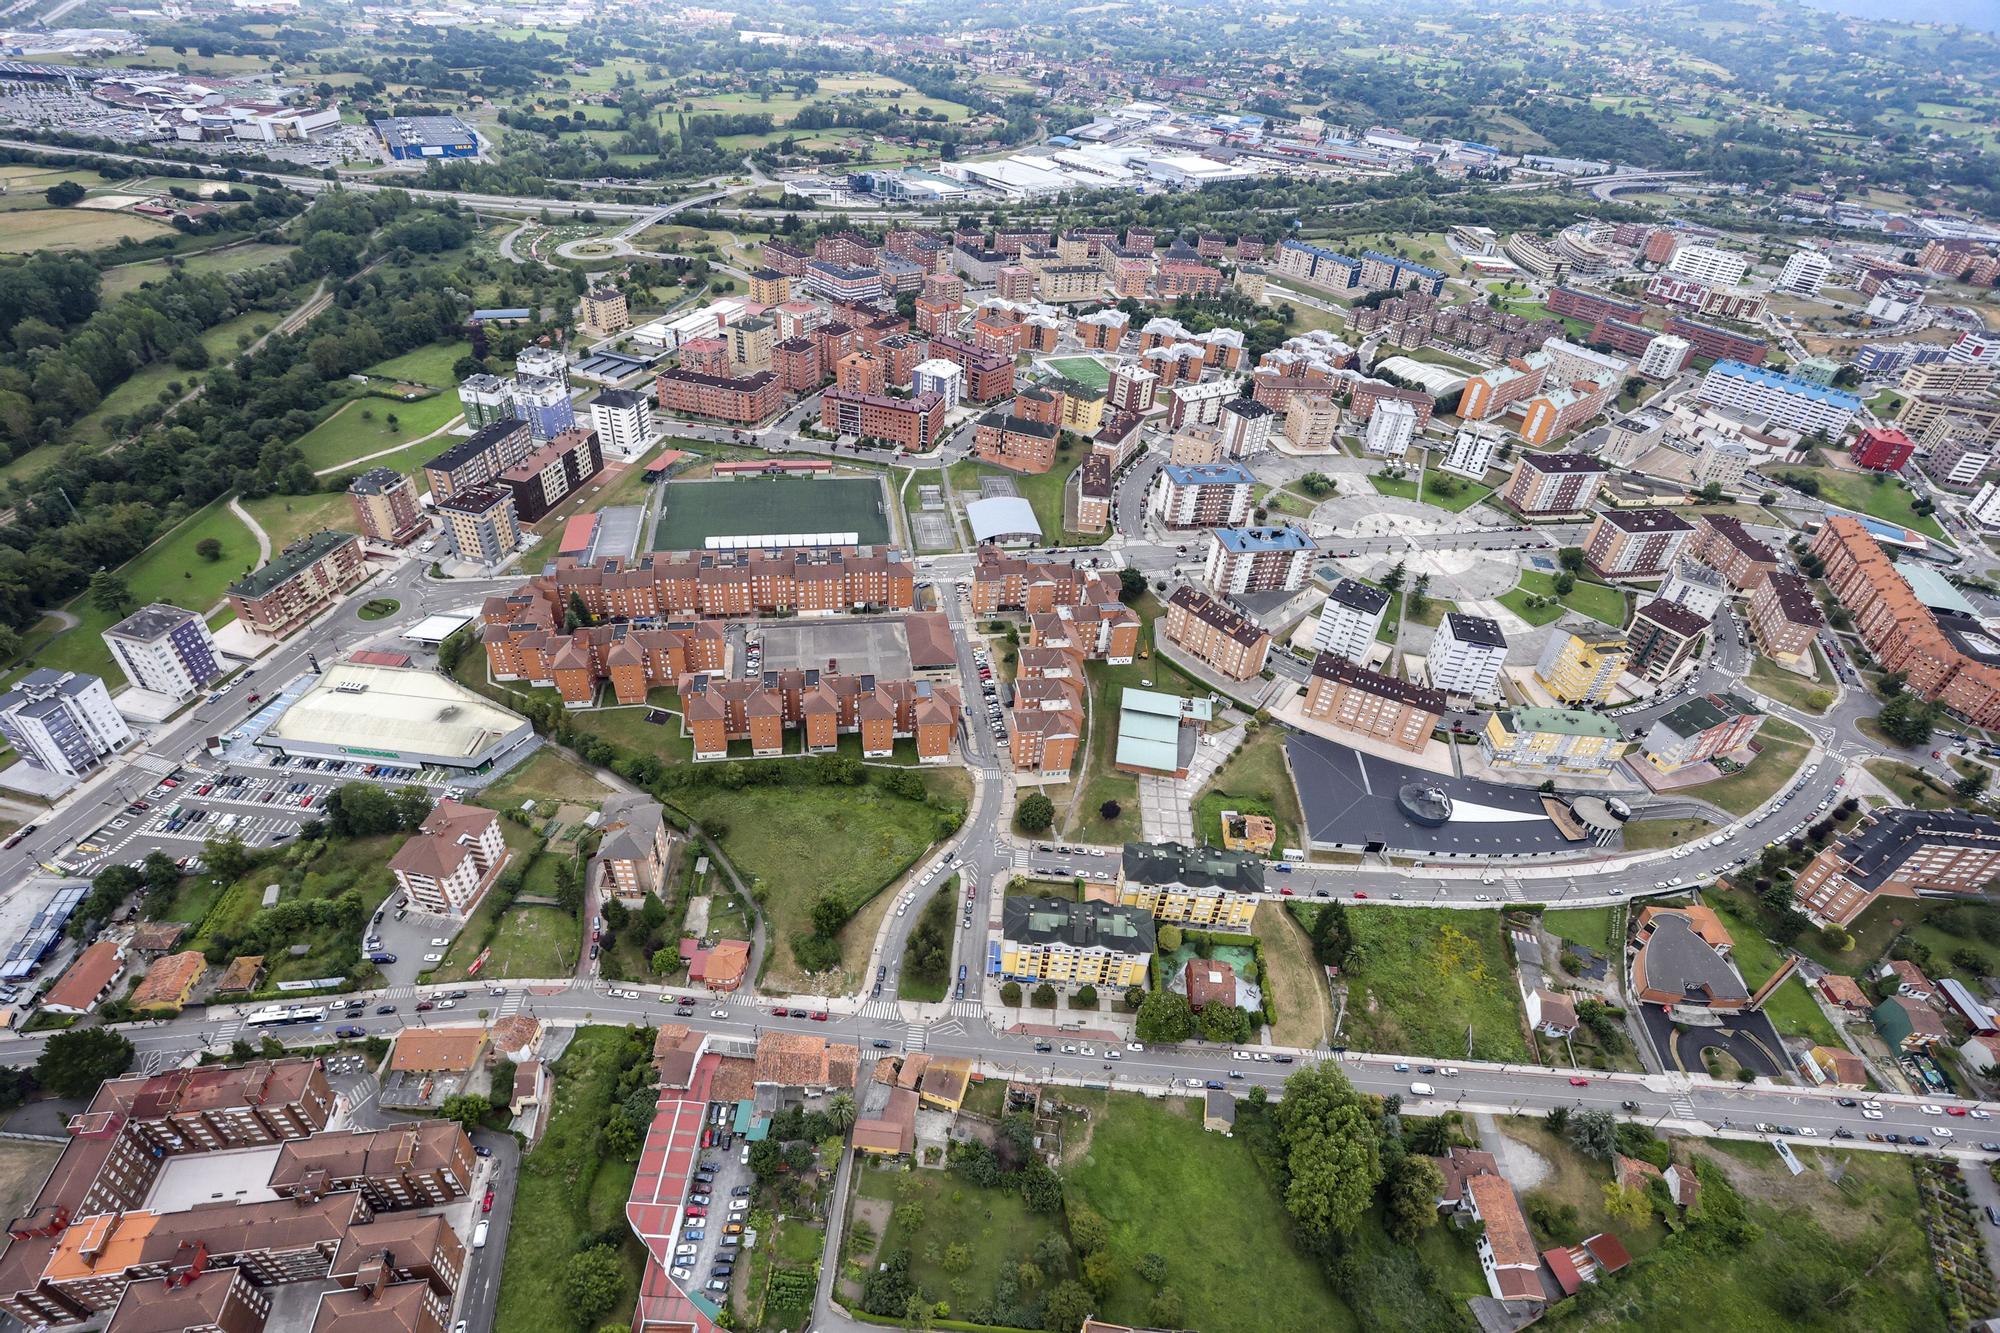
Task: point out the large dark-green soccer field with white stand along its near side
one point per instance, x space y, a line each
695 511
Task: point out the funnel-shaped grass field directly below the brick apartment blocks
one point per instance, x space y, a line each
797 844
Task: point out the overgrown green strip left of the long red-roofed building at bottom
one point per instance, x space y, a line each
569 1190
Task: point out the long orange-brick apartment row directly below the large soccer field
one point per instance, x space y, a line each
739 583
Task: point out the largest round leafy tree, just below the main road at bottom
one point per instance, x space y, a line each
1333 1152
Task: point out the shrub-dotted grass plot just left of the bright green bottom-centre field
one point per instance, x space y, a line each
995 1224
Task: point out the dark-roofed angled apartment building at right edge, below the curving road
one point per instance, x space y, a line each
1899 854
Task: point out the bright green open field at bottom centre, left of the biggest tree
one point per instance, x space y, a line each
1159 1178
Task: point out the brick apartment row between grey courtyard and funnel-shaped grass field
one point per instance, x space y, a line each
821 706
